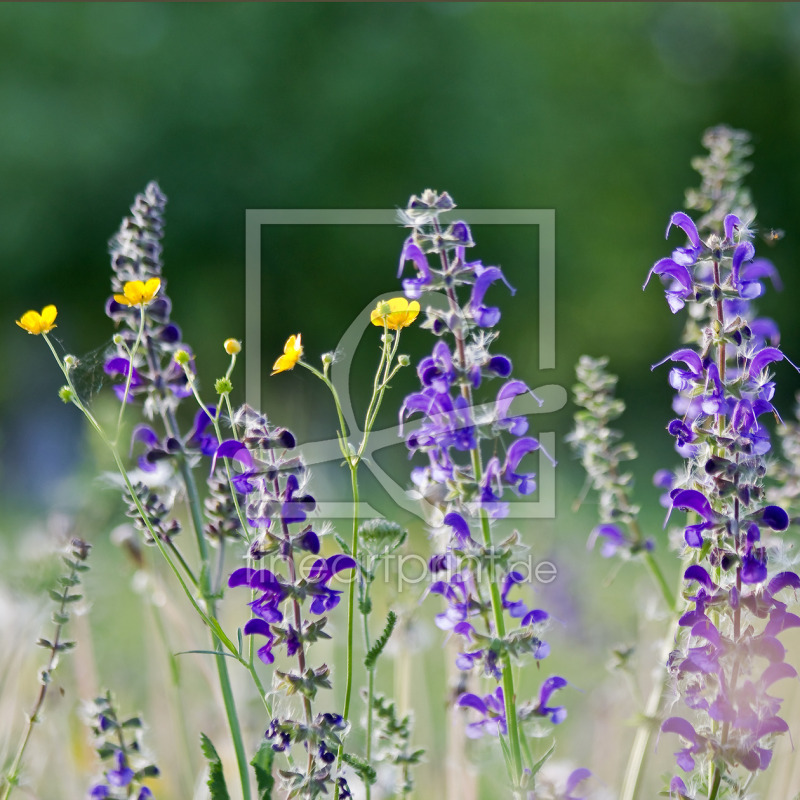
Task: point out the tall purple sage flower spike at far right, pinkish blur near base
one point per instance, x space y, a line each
729 655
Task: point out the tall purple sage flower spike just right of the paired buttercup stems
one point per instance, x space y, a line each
474 575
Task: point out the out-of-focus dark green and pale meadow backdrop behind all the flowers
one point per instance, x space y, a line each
593 110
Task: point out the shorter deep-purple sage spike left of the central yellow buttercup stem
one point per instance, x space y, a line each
271 485
